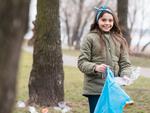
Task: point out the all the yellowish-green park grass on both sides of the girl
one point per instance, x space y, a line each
139 91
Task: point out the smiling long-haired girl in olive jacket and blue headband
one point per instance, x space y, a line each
103 46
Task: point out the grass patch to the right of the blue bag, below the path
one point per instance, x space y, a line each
139 92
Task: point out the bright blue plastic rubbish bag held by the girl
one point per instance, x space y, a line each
113 98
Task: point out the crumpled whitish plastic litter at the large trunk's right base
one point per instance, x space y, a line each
62 107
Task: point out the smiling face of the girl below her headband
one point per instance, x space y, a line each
106 22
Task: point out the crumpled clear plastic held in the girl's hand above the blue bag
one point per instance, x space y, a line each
129 80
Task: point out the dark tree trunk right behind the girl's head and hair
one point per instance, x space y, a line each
122 9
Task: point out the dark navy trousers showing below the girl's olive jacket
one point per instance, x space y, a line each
92 102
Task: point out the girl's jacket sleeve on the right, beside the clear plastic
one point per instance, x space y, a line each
124 63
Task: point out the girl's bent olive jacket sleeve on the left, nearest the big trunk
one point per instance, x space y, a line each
84 60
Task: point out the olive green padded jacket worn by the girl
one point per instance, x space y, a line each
92 53
